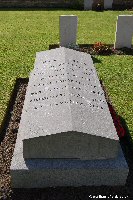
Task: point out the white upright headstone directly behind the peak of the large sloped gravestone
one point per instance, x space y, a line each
68 30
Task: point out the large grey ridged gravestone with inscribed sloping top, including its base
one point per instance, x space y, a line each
66 135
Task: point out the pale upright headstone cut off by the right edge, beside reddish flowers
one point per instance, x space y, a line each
124 31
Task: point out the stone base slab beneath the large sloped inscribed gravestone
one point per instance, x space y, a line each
40 173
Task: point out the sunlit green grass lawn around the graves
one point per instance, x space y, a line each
23 33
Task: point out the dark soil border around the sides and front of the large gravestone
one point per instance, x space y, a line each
8 137
